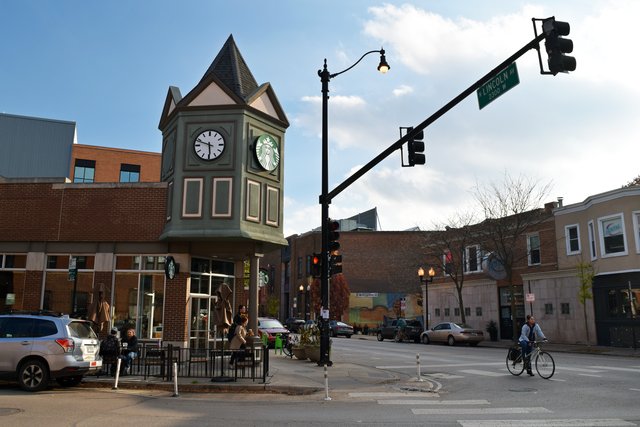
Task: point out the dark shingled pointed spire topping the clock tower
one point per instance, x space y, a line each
230 69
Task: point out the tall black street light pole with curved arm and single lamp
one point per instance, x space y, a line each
325 76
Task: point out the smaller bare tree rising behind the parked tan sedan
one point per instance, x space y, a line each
446 250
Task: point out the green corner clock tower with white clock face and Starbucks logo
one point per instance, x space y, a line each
223 160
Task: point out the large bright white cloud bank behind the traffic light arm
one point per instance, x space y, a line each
578 131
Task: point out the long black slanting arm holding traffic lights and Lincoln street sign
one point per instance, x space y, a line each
533 44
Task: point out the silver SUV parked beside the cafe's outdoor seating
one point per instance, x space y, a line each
37 347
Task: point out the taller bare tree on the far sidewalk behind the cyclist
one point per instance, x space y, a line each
511 209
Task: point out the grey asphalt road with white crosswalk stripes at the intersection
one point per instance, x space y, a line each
462 386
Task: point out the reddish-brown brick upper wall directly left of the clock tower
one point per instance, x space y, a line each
74 212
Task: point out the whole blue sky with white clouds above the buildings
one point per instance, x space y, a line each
108 65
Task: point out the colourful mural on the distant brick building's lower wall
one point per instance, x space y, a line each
371 308
